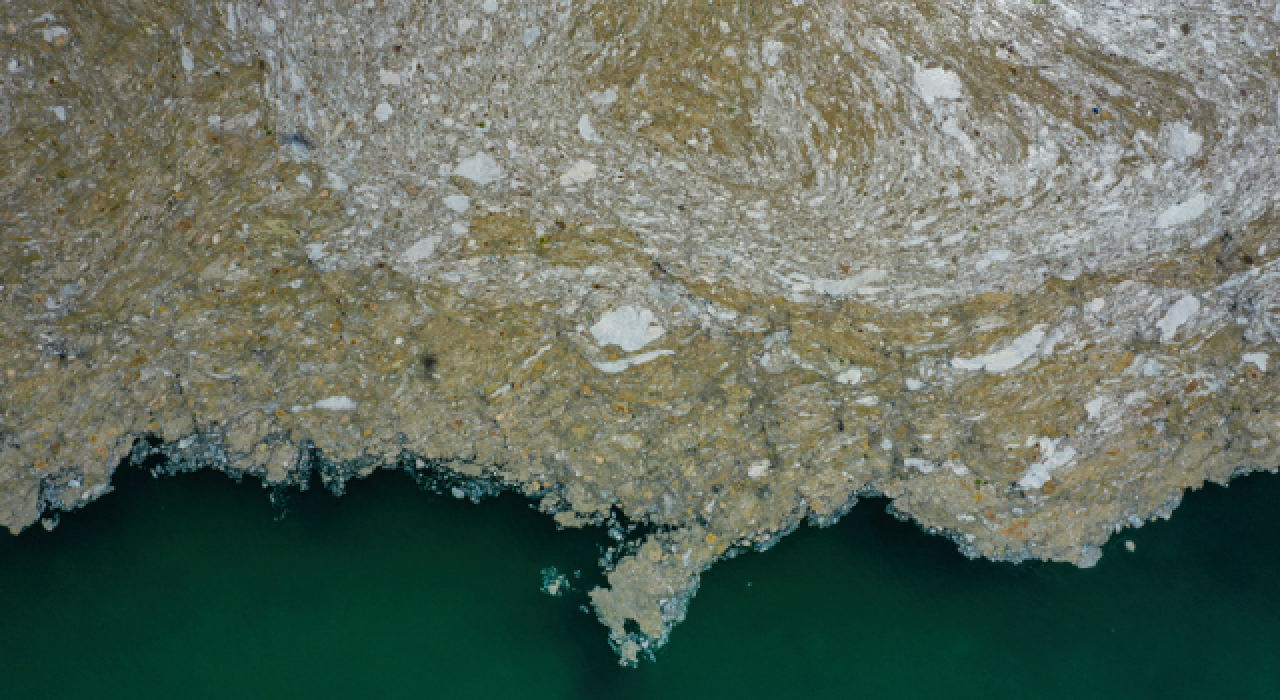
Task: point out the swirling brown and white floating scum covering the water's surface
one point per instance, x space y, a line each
711 267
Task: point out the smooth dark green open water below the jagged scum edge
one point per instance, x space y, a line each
191 588
